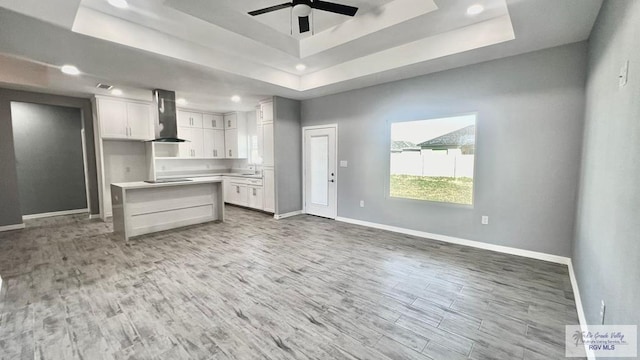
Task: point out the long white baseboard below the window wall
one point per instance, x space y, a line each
454 240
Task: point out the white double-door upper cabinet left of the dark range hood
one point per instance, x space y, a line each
121 119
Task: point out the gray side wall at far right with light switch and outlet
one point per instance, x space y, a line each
606 249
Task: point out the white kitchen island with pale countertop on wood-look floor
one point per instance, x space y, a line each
141 208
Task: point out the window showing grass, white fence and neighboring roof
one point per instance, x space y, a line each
433 159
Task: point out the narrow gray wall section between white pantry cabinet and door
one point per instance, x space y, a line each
288 154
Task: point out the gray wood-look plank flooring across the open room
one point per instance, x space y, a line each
258 288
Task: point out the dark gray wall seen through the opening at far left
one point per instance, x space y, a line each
49 161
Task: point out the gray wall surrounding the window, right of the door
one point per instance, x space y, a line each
529 131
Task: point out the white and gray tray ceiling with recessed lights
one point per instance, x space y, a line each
209 50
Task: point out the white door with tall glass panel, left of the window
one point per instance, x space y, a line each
320 177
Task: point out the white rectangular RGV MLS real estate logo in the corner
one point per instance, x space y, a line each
601 341
